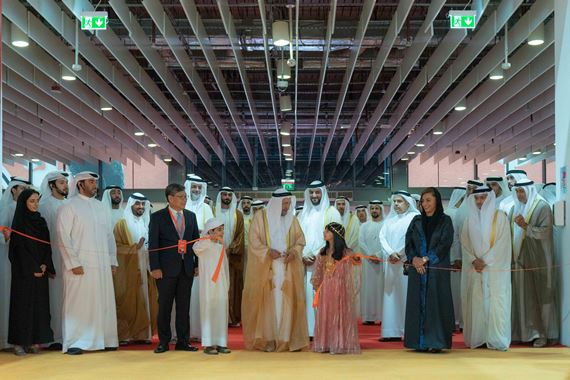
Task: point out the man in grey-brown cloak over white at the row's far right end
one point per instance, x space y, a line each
535 309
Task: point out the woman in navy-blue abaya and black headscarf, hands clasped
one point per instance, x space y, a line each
429 307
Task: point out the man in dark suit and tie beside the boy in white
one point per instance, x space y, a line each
173 268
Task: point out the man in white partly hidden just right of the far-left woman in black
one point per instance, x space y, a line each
54 190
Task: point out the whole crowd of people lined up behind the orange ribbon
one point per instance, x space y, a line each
79 274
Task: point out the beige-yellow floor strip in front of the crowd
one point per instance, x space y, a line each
519 364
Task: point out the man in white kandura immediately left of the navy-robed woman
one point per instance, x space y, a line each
392 245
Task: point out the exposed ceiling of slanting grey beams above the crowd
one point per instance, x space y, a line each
373 81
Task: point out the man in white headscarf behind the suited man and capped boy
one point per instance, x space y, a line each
196 190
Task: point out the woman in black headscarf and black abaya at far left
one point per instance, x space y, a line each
31 265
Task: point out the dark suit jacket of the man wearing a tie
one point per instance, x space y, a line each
162 233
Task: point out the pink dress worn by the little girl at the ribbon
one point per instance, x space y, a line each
336 329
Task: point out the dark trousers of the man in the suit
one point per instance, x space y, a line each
171 289
